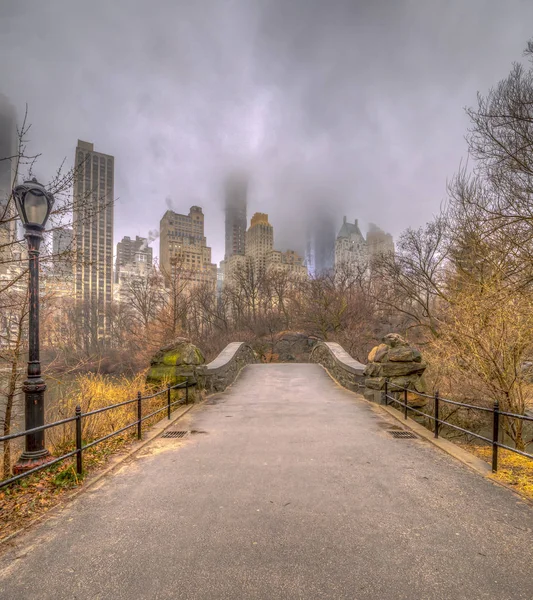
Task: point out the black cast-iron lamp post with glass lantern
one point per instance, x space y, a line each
33 204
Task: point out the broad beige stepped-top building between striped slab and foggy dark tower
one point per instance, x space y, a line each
183 250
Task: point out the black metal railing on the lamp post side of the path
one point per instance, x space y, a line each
78 419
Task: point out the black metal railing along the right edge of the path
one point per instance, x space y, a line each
438 422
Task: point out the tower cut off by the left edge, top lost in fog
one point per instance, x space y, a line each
8 171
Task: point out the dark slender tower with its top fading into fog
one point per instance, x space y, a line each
236 192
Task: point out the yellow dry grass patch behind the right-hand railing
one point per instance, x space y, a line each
513 469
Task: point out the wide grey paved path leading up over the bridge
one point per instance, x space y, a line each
295 491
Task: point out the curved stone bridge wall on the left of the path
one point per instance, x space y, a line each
221 372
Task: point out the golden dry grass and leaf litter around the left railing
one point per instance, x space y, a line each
26 500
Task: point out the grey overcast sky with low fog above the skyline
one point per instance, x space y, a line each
358 104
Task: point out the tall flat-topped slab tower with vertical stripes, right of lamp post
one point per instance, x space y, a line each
93 238
